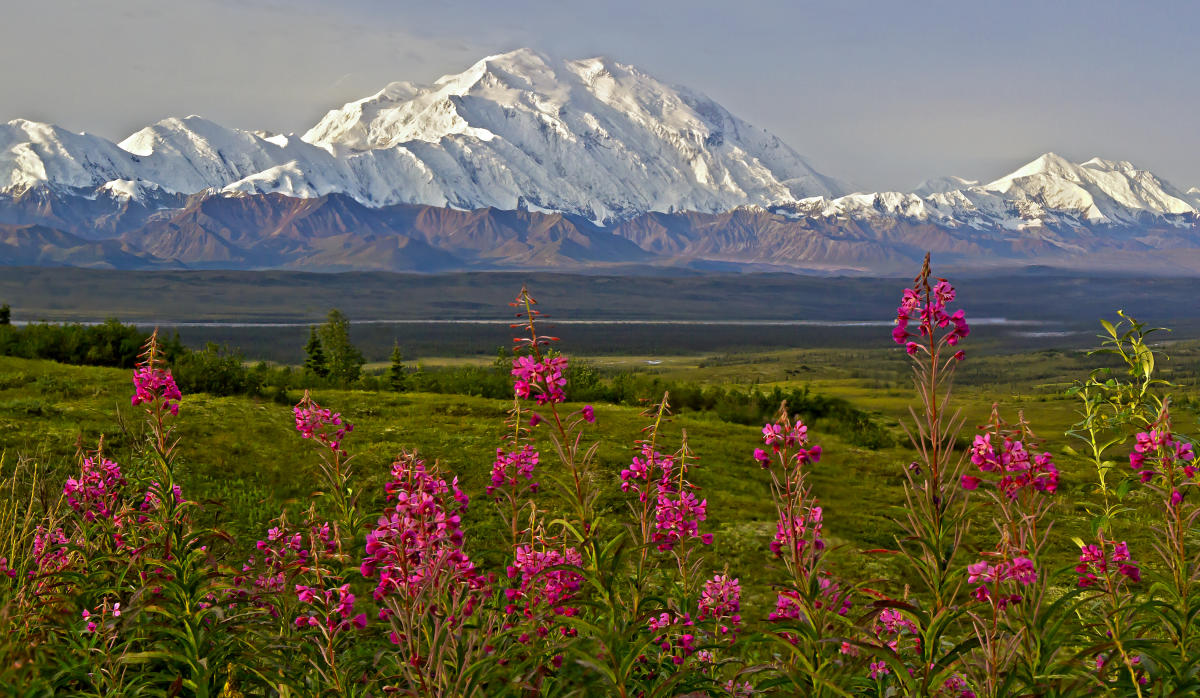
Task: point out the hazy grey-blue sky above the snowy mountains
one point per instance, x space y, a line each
885 94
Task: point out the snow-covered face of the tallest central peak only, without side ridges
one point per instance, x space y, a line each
591 137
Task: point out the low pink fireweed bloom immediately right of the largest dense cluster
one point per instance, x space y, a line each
542 588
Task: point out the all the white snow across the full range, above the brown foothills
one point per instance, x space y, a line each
590 137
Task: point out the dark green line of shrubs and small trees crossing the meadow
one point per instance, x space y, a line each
332 360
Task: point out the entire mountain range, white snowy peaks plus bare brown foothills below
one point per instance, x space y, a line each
527 163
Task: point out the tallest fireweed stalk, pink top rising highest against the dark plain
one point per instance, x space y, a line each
935 518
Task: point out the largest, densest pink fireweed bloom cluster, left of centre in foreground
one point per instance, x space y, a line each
417 544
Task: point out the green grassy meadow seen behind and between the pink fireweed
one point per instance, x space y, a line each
245 462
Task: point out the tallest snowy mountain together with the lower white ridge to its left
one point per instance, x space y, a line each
589 137
